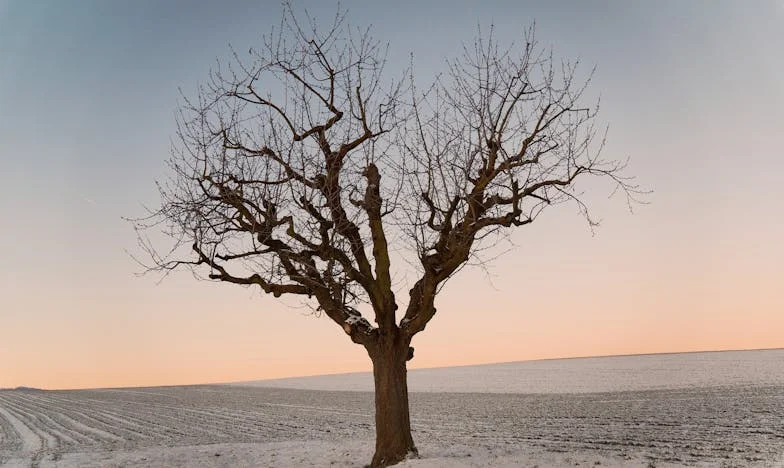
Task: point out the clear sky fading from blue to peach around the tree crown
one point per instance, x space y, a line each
692 91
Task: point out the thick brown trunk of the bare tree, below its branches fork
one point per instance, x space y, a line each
393 425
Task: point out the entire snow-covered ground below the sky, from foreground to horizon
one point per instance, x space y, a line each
730 418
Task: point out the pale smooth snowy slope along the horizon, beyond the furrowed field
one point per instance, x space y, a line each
578 375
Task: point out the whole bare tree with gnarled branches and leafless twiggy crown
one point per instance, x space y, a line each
299 169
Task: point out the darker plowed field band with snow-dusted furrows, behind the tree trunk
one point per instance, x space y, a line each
724 425
